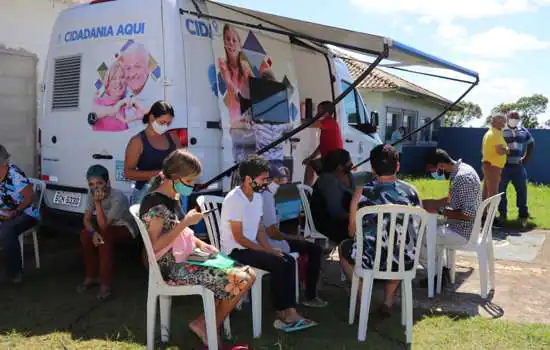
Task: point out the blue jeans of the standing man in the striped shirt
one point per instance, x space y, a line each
518 176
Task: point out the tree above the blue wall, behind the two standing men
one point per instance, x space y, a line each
528 107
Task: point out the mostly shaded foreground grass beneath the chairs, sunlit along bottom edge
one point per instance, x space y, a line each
47 313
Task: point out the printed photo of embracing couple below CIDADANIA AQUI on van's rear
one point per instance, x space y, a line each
122 86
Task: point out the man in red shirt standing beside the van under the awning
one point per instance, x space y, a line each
330 139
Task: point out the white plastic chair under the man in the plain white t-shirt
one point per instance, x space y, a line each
212 221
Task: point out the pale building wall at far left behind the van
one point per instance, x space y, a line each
25 28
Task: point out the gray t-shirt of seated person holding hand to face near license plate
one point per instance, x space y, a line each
117 210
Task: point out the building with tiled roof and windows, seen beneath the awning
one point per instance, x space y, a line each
399 103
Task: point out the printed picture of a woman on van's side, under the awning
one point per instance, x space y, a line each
256 94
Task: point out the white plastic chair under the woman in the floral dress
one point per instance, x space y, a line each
159 289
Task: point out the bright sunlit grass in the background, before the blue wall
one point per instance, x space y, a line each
538 200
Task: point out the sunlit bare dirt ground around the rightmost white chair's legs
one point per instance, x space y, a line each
522 289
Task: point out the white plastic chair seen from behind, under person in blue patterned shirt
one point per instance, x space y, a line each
368 276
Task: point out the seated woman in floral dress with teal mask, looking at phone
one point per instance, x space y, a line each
173 241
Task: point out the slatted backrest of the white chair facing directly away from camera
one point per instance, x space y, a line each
405 213
